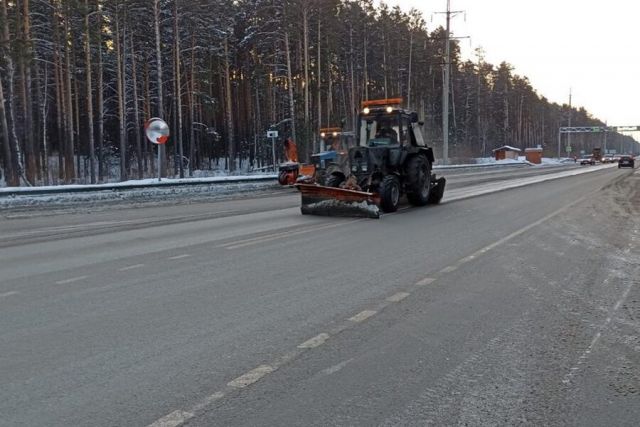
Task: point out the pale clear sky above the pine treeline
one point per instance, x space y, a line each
590 46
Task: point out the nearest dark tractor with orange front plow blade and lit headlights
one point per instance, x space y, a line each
391 160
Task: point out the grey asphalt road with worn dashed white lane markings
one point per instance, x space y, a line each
516 307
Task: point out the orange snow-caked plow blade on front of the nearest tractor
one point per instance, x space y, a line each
331 201
